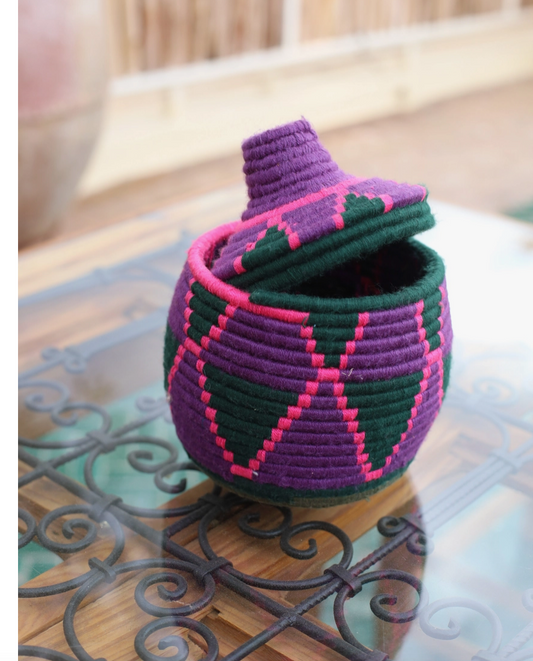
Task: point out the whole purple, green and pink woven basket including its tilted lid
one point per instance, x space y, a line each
308 344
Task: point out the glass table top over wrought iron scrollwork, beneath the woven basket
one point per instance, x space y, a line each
127 551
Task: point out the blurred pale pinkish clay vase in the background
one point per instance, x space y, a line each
62 83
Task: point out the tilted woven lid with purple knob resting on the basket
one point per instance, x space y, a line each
305 216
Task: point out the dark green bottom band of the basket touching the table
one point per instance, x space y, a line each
280 496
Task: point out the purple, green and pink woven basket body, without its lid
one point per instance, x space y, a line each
306 407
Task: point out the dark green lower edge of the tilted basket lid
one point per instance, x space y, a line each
315 258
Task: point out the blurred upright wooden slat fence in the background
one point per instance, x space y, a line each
155 34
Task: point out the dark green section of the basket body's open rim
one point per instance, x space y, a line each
425 287
